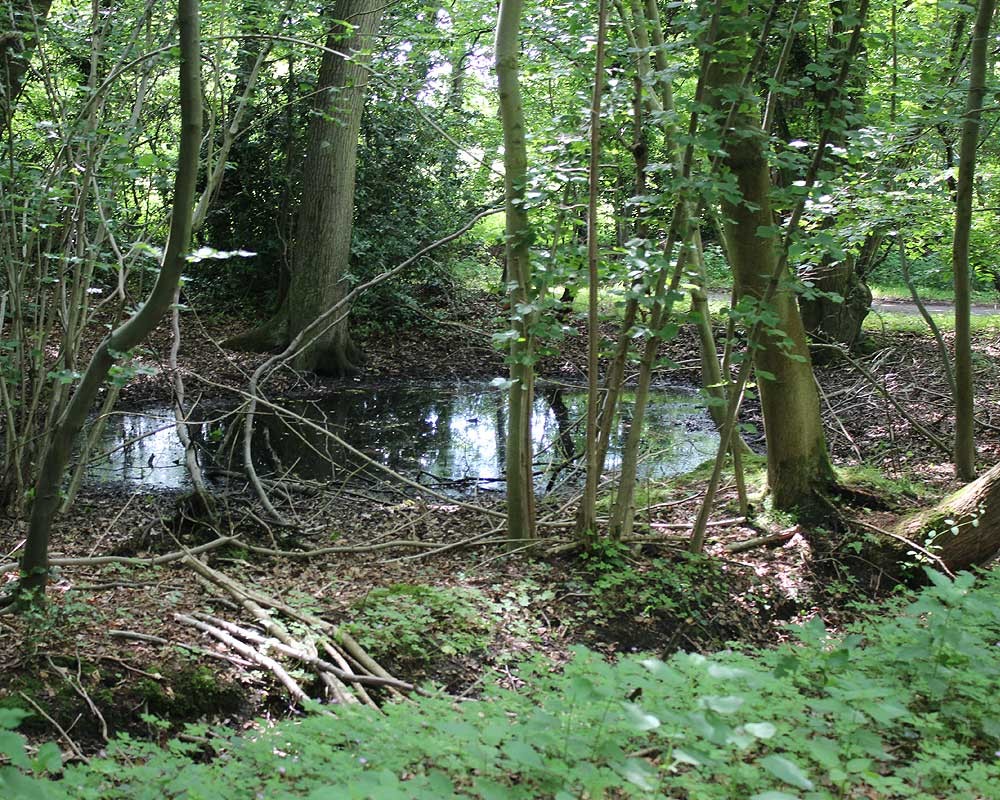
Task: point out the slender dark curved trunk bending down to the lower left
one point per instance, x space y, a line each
34 563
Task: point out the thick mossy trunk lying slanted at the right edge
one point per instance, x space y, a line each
963 530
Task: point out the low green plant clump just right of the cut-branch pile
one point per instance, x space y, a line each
411 626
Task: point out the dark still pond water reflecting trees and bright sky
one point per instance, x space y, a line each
446 436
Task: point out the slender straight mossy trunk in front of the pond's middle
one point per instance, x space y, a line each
520 485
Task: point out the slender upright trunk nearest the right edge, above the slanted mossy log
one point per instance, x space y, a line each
965 445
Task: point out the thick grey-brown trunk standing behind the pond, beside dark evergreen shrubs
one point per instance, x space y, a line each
326 215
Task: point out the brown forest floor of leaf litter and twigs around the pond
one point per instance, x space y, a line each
426 584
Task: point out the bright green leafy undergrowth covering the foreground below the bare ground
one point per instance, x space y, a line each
902 706
